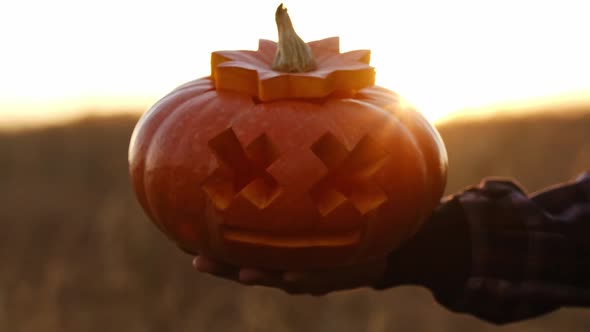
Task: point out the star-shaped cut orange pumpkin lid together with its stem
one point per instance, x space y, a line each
302 70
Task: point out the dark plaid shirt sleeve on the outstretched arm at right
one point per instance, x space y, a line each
526 255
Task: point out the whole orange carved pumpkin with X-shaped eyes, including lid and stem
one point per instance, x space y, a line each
288 157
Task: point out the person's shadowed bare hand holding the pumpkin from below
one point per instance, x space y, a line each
314 282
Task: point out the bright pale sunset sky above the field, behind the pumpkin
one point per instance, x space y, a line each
59 58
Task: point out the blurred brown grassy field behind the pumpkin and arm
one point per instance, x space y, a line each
78 254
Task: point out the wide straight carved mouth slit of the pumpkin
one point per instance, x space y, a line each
291 240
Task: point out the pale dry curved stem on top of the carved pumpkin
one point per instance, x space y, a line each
293 54
